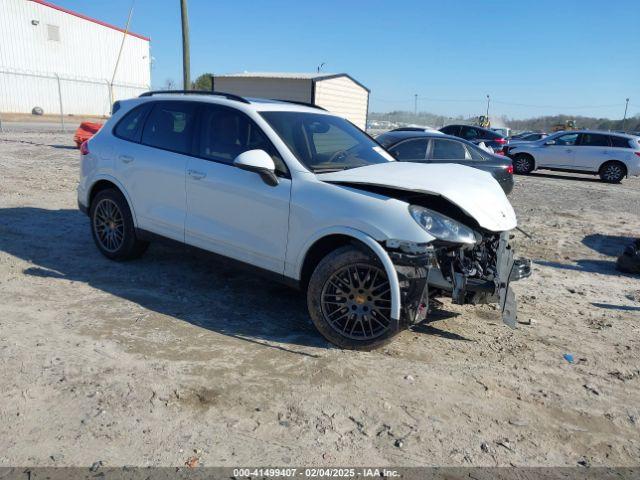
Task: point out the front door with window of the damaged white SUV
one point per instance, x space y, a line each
231 211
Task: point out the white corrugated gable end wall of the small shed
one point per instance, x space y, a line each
344 97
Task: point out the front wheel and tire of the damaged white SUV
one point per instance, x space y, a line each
349 300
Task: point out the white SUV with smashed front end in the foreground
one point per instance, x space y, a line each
306 196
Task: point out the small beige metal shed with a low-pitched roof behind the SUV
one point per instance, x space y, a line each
339 93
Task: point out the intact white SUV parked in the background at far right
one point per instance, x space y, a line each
613 156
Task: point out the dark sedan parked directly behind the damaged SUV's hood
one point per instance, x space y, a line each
430 147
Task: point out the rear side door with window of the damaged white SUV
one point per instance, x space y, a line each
153 169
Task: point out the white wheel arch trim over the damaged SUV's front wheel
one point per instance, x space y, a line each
370 242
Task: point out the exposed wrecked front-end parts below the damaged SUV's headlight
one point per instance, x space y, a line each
422 273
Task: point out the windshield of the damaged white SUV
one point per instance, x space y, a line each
324 143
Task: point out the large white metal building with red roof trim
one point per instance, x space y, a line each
52 57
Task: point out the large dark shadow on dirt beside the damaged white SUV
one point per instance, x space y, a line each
179 282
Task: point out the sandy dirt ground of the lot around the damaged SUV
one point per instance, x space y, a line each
176 356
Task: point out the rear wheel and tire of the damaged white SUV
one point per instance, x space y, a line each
112 227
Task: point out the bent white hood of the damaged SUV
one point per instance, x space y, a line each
474 191
